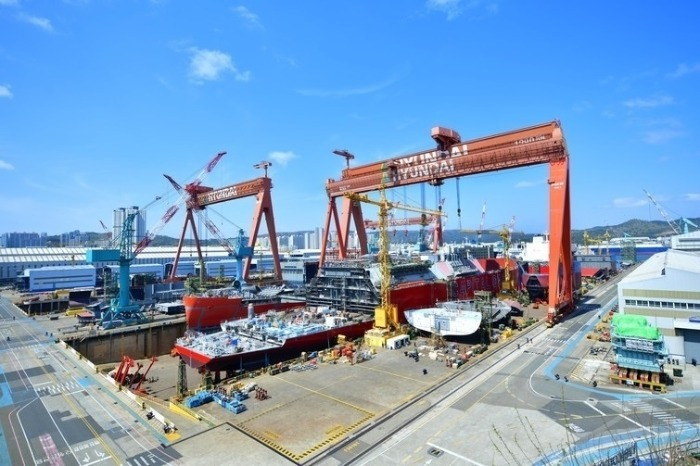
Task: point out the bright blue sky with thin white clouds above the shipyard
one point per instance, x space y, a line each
98 99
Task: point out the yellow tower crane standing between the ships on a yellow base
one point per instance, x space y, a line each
385 315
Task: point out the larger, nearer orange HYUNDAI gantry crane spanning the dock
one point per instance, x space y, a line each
454 158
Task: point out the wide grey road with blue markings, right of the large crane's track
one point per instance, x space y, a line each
510 409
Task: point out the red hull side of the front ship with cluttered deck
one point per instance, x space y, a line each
292 348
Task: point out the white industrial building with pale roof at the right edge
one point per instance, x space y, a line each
666 290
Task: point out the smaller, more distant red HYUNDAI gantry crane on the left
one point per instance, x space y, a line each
198 197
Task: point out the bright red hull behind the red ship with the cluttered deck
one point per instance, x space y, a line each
203 312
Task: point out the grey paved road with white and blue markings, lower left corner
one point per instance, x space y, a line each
53 411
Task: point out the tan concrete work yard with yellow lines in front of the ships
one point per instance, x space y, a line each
309 407
